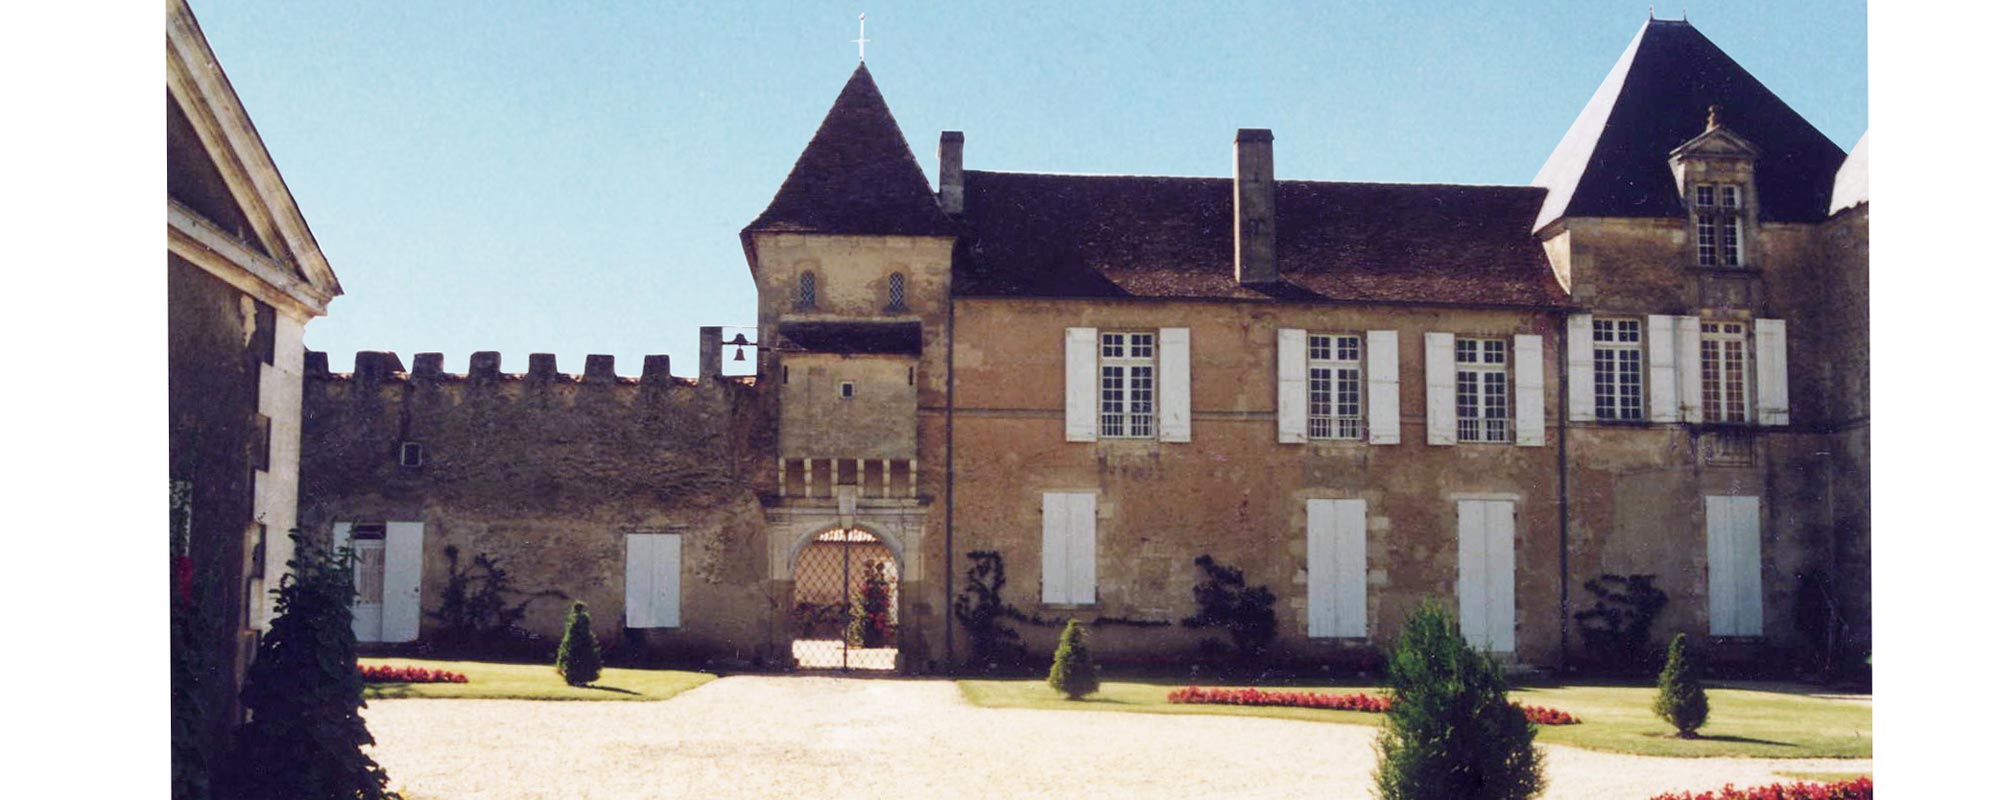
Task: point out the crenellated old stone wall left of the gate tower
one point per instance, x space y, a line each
547 473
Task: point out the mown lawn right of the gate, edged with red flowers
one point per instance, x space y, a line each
1617 719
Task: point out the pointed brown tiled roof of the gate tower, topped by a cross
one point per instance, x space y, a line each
857 175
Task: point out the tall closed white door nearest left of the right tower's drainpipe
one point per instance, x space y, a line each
1487 573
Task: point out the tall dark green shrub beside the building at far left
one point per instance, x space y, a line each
305 693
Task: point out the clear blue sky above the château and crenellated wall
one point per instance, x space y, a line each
571 179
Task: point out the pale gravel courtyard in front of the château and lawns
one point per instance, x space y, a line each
805 737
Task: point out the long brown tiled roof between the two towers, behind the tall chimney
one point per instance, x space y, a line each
1135 237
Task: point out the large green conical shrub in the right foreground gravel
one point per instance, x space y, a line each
1451 731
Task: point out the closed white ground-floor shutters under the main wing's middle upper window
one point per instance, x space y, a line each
1337 569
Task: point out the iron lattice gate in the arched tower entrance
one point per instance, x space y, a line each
845 603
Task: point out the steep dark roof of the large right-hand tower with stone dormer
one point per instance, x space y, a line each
1613 161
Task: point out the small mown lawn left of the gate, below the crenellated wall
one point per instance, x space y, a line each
535 683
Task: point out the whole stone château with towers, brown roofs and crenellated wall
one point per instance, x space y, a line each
1649 361
